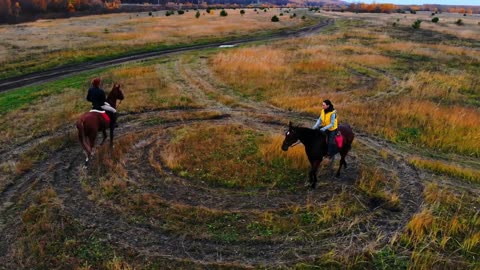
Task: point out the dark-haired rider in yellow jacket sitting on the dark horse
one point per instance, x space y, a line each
328 123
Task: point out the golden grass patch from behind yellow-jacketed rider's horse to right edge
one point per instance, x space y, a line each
437 126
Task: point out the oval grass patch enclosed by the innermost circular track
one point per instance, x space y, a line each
231 156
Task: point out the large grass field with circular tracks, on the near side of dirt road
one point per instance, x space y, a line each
197 178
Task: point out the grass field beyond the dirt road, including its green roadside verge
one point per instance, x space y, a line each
45 44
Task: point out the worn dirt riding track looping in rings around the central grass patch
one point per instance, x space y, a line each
148 174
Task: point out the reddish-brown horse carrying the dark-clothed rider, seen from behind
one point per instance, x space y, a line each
91 123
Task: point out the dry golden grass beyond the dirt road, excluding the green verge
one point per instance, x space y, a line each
78 36
